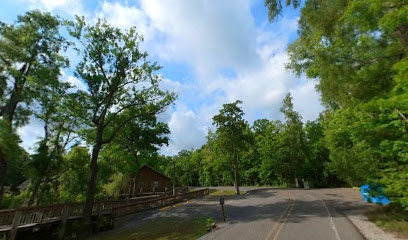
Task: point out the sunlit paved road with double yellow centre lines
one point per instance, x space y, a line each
286 214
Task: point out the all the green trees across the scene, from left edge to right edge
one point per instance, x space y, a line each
97 136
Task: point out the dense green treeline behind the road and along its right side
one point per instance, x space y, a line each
357 52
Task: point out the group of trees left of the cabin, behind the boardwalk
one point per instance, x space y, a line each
116 110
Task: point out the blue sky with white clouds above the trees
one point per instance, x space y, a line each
212 52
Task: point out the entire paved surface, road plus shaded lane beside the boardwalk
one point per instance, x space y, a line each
268 214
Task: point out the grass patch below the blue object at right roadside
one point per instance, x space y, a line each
390 218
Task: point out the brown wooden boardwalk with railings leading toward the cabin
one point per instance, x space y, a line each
11 220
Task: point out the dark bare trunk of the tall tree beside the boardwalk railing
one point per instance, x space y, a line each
87 212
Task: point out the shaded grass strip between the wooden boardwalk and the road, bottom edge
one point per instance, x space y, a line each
167 228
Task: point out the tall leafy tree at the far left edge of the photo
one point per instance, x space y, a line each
29 60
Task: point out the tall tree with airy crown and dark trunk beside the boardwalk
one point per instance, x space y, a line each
122 87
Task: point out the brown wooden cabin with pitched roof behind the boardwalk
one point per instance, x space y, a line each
149 180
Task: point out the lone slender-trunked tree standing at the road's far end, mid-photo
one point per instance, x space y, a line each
231 136
